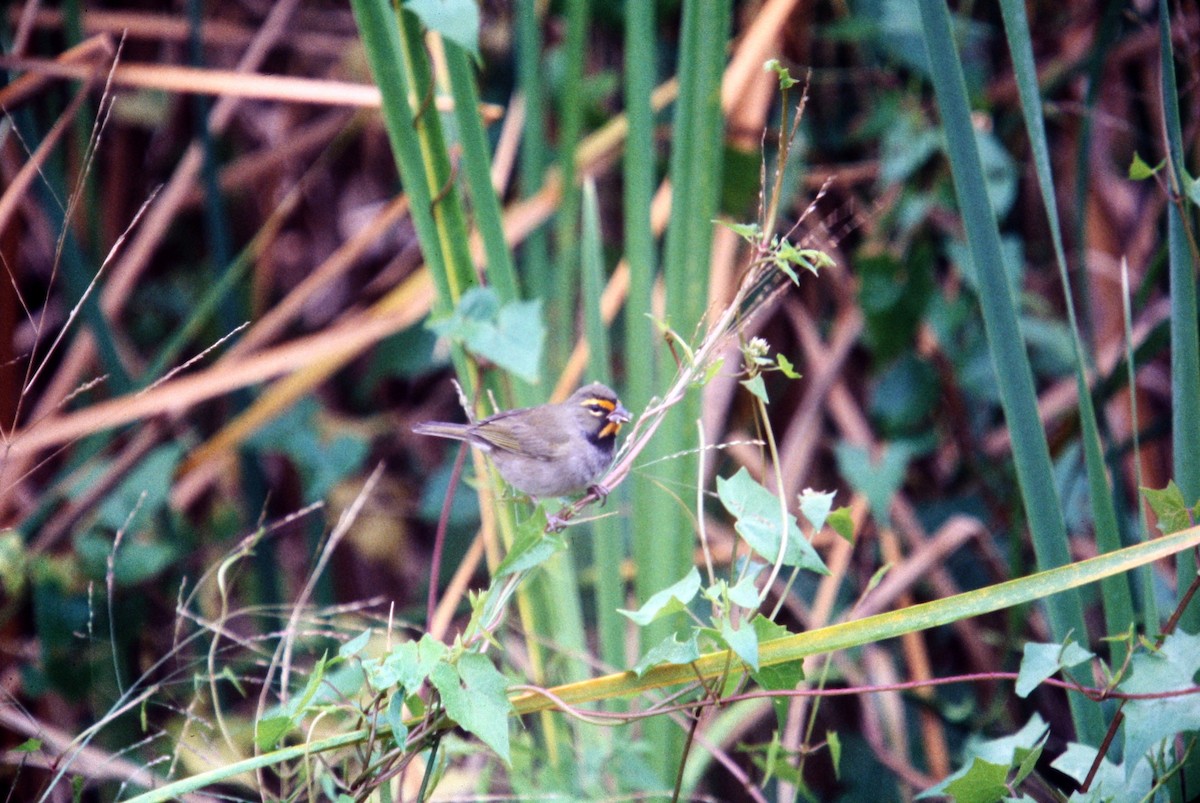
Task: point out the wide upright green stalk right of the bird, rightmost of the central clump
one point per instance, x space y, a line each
663 541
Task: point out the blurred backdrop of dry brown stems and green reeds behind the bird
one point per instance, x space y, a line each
217 314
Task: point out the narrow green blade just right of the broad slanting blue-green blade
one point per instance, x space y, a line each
1119 613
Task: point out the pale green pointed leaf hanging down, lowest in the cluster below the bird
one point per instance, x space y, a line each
476 697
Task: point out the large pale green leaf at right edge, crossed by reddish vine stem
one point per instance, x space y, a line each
1172 669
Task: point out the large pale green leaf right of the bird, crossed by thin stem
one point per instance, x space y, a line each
759 520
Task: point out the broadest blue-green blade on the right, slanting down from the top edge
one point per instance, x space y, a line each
1015 376
